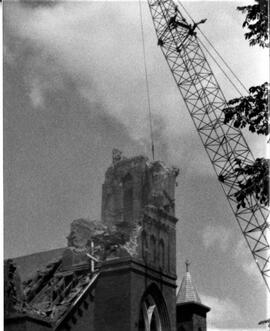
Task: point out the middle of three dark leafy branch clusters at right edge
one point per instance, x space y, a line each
251 110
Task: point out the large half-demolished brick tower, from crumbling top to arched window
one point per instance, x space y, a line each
137 292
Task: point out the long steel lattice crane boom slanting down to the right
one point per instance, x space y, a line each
205 102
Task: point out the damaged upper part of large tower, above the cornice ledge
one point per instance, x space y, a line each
139 192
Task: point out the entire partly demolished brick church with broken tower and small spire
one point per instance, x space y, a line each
118 274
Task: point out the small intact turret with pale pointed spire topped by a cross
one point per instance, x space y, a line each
190 312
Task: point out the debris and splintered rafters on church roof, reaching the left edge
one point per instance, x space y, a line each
50 294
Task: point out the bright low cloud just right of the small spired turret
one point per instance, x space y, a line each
222 311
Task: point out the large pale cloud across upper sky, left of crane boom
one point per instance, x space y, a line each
82 43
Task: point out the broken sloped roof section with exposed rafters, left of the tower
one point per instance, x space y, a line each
55 290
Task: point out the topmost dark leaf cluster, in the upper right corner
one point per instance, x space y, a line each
257 23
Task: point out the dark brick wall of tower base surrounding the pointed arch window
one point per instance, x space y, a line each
119 292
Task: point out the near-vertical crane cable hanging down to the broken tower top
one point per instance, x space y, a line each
147 84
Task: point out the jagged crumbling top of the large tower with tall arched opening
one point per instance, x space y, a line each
133 183
